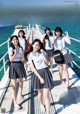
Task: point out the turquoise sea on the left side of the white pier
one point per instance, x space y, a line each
5 33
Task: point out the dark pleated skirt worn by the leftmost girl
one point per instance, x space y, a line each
17 70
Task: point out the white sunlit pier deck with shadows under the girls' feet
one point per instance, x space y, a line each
61 98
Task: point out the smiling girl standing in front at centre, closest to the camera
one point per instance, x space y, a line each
41 79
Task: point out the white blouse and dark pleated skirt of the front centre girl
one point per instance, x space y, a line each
42 69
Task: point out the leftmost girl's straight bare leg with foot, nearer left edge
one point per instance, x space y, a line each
13 82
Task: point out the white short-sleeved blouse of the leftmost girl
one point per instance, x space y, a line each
18 54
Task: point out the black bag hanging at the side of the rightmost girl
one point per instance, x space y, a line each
58 57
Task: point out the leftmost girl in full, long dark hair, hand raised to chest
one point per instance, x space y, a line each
16 70
